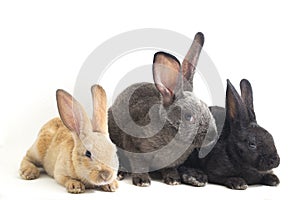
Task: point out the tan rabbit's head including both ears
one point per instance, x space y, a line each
94 156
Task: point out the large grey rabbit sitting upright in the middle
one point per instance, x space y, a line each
151 123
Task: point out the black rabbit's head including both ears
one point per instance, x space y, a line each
249 143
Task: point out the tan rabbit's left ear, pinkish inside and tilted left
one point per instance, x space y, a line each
72 114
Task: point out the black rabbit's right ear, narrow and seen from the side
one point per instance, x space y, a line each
247 97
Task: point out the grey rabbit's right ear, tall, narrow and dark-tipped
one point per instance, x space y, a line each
190 61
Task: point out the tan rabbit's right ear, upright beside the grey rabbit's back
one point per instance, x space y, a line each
99 121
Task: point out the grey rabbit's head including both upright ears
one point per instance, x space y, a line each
182 109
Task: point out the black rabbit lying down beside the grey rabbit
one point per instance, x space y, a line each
245 153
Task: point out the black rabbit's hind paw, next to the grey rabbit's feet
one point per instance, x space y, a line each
195 179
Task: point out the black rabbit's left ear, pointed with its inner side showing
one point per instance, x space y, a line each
235 109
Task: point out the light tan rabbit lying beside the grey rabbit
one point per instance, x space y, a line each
77 152
